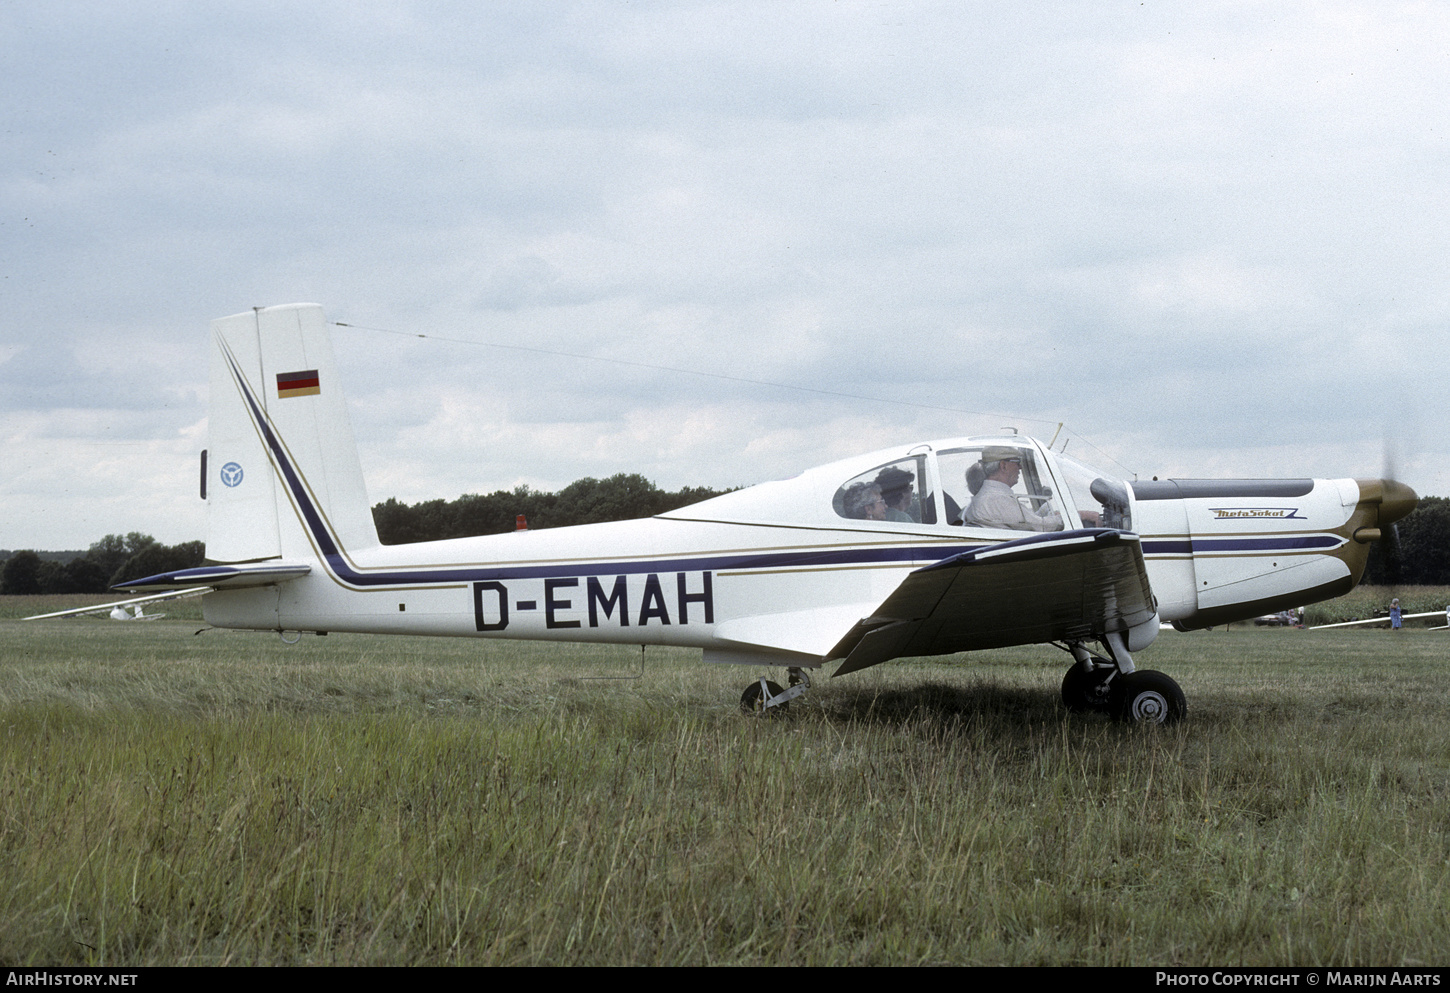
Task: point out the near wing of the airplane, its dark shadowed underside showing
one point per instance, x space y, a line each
1075 585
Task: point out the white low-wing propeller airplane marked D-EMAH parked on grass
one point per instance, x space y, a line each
853 563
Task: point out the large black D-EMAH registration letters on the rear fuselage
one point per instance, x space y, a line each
592 601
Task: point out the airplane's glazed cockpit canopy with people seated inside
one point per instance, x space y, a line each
1000 485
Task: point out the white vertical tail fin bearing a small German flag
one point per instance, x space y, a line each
286 478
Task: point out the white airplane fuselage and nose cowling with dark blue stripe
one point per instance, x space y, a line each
1214 550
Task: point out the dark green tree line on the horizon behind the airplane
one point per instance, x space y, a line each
1422 556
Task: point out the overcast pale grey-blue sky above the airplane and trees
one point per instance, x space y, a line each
1210 238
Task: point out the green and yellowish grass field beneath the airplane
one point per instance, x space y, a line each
170 798
